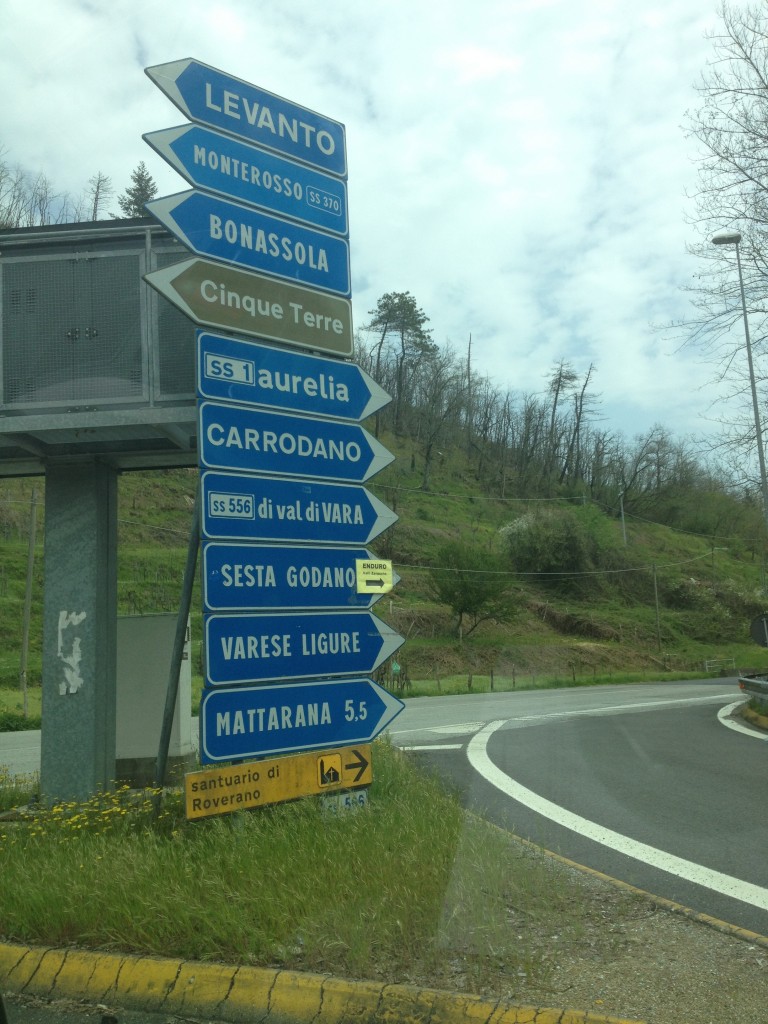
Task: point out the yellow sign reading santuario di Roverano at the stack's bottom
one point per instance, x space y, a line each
240 788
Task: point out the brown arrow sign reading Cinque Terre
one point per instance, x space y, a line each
224 297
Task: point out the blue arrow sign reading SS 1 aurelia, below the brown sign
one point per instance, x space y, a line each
251 374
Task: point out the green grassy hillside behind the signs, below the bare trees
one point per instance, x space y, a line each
666 602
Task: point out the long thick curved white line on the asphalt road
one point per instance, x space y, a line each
727 885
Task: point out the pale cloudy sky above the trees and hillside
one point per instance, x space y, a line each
520 166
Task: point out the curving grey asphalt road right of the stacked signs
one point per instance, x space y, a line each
647 784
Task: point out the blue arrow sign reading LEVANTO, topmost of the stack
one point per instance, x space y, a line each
215 99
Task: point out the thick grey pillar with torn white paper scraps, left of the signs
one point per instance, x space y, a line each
79 631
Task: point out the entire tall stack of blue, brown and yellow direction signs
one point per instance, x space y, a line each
281 449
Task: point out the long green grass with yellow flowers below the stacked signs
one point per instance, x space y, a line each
367 894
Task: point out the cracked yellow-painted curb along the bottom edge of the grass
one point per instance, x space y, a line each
247 994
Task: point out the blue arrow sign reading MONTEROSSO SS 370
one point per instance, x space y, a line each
224 165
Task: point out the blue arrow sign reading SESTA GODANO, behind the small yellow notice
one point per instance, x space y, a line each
254 577
